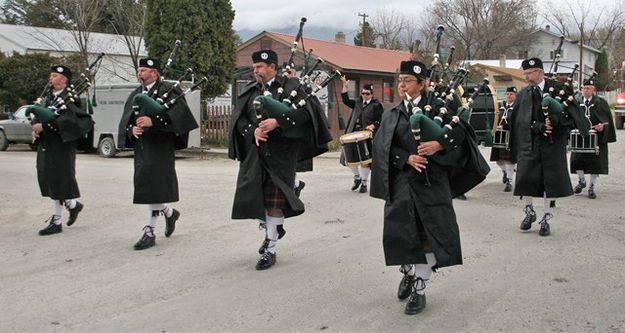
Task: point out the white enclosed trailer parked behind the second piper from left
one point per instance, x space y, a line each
108 112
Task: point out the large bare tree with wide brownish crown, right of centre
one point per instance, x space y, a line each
486 28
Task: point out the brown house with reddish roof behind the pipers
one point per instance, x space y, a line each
361 65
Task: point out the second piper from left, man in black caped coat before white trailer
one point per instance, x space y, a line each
155 140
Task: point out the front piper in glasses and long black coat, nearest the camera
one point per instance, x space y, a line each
420 229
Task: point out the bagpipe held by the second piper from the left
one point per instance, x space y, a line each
156 106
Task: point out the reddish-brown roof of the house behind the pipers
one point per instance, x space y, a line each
344 56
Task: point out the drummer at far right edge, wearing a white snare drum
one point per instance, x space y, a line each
603 122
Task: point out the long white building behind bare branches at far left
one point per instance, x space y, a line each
116 67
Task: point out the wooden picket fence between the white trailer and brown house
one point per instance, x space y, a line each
215 124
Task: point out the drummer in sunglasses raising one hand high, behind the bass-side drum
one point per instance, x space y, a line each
366 115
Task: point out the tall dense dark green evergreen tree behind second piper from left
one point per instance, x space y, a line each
205 30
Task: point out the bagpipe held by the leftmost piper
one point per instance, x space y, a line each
47 114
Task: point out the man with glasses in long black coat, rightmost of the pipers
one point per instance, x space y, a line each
539 147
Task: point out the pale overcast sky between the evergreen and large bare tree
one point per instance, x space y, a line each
324 17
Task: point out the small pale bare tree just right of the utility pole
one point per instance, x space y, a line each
388 25
